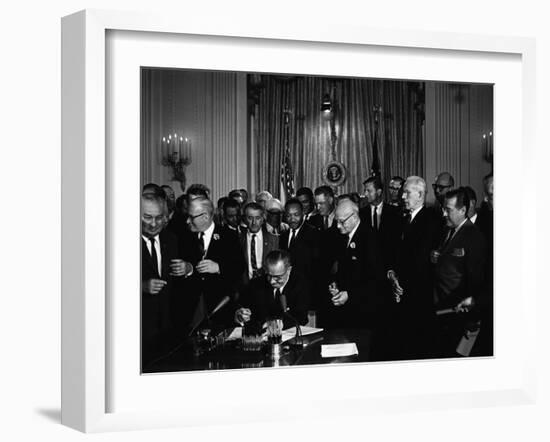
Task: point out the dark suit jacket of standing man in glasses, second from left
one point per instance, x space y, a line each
224 249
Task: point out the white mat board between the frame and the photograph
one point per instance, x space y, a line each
131 391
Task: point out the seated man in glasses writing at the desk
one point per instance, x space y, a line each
282 293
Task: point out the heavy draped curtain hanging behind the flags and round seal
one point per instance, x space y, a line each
399 135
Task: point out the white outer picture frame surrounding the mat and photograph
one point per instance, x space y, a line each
86 215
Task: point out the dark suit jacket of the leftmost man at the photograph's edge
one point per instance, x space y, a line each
155 309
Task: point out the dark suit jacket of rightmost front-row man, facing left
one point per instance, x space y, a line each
460 269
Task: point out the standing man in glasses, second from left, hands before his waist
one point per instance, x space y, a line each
217 264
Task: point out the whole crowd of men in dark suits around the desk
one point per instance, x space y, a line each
419 278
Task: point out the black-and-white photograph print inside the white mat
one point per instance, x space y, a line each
294 220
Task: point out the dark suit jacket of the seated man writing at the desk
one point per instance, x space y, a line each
260 300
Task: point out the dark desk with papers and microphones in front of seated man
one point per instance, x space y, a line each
229 356
